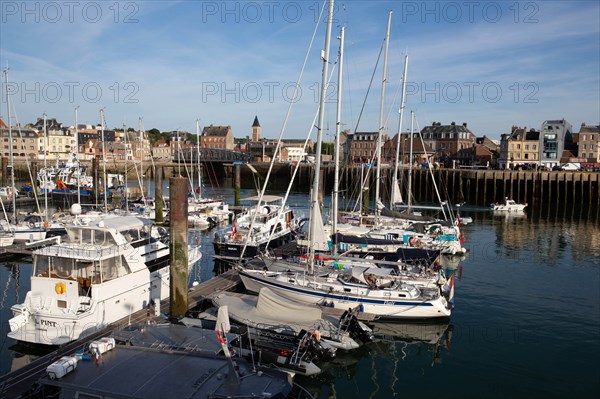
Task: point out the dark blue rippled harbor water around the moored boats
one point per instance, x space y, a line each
526 321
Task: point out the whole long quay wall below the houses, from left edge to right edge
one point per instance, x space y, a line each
472 187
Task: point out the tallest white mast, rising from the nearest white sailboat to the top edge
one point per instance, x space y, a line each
314 200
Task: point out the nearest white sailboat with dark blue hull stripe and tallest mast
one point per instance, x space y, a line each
370 289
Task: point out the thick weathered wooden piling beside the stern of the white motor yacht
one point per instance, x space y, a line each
178 243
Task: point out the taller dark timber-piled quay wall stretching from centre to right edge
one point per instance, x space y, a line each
472 187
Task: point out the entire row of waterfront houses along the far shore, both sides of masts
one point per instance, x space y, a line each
448 145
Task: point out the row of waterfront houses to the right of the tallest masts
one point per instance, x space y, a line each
455 145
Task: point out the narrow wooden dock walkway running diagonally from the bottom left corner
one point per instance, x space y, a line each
14 384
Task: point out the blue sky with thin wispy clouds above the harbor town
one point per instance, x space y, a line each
490 64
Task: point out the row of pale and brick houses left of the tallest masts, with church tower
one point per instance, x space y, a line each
51 140
